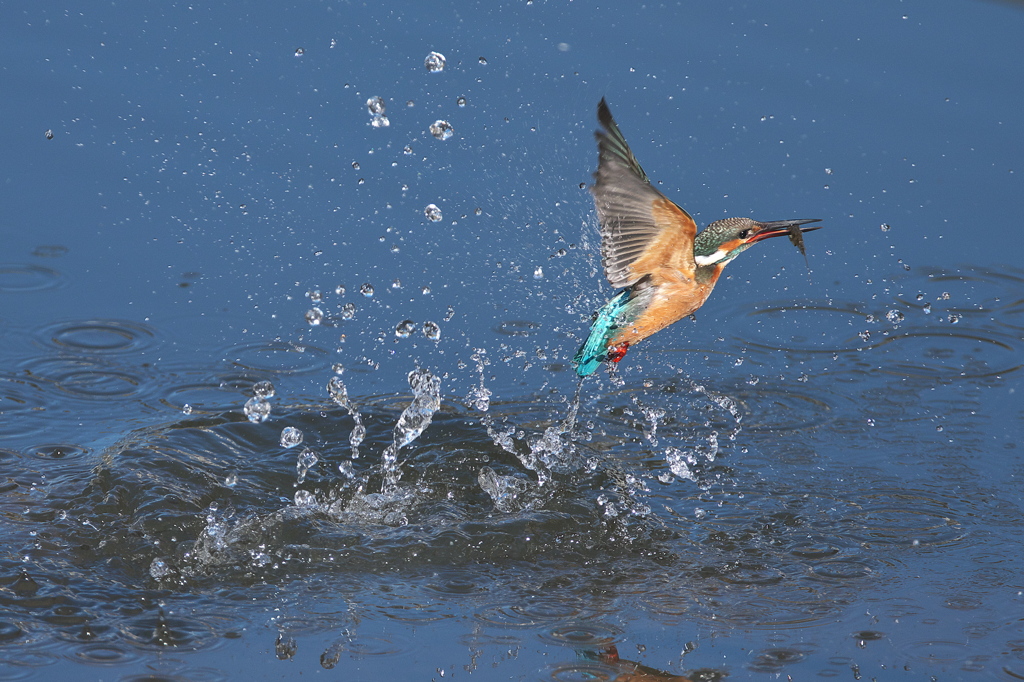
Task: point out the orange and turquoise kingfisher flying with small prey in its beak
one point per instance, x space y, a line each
652 251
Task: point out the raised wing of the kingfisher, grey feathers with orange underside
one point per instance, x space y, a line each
642 230
